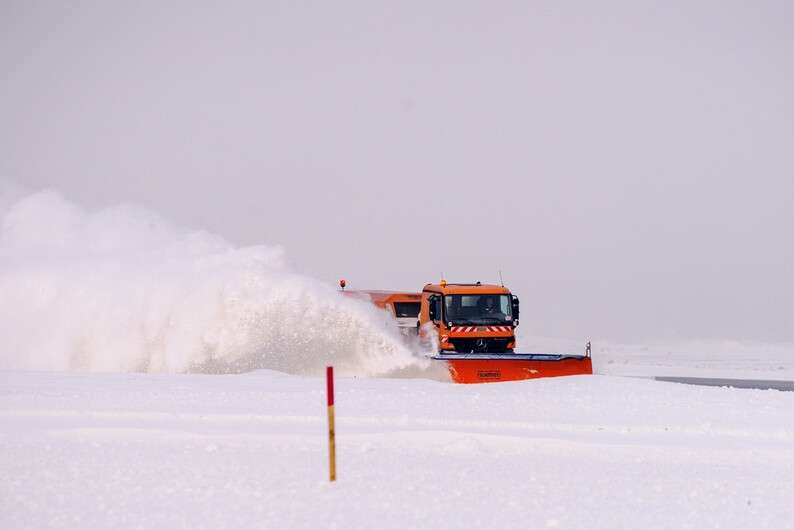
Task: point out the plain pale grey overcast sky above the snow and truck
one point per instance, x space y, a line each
629 166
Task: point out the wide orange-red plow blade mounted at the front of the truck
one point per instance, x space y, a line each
496 367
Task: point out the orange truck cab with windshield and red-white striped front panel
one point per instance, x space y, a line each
470 317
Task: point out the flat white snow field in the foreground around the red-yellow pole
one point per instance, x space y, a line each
249 450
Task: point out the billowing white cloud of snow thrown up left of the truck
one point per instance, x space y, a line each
123 290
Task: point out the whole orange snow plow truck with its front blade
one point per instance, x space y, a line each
475 324
